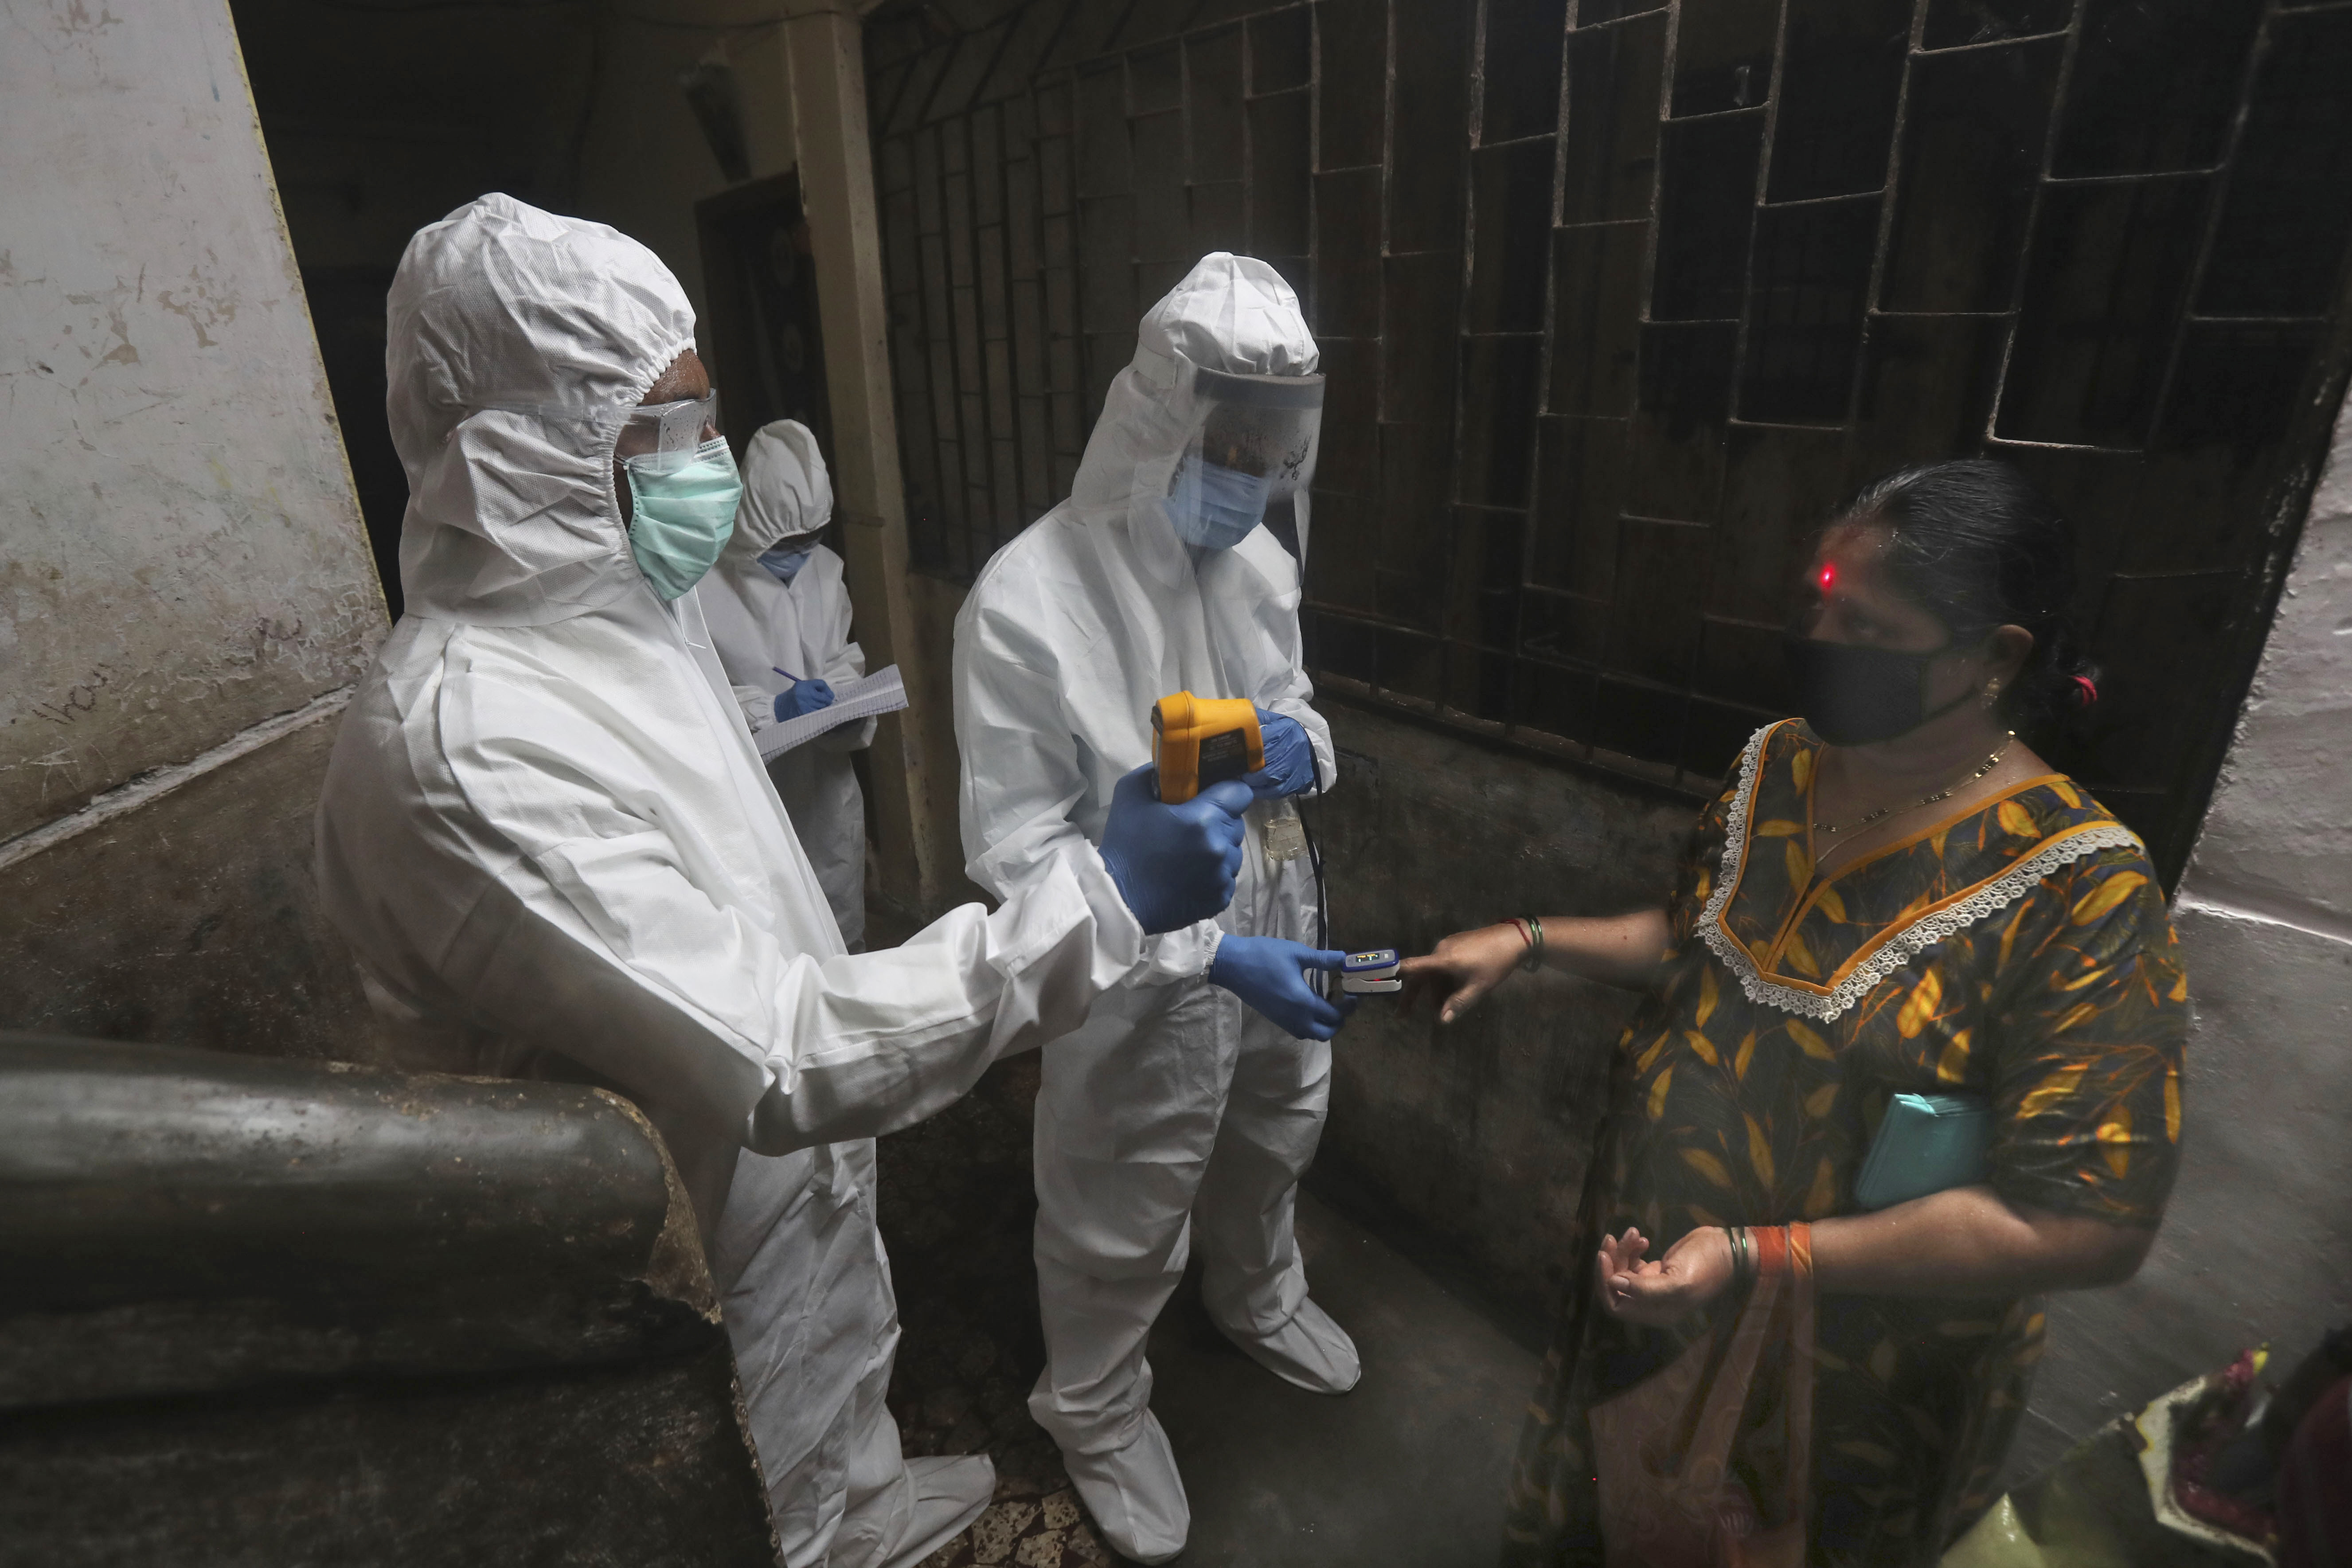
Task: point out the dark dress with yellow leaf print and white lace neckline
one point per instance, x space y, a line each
2017 951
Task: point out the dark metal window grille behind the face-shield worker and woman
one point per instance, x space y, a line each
1619 300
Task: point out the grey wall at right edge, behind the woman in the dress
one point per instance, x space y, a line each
2259 1238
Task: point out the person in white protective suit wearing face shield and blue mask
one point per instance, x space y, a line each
1175 1104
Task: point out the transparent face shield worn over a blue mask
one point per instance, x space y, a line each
1252 453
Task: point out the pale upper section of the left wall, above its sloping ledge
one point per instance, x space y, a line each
182 549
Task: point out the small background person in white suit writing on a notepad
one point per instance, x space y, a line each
780 624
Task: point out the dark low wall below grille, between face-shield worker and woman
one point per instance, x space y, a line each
1476 1137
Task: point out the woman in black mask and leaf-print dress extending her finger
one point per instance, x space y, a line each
1892 897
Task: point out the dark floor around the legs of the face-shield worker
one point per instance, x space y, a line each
1403 1473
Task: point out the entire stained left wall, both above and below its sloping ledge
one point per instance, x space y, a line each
185 589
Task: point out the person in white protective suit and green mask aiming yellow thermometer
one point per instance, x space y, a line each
552 845
